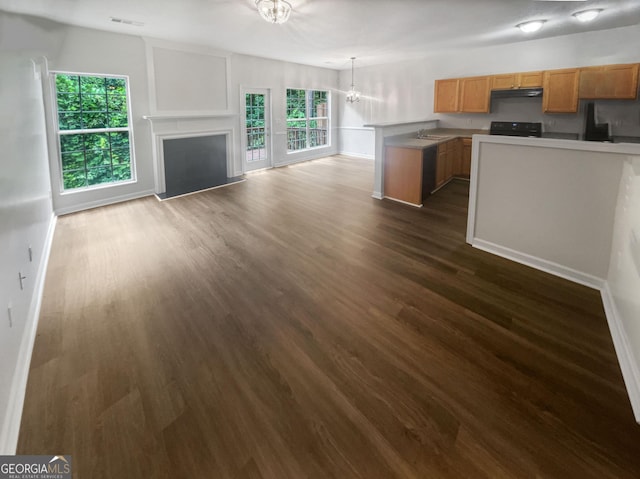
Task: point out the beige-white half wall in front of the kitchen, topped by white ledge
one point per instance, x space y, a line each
553 205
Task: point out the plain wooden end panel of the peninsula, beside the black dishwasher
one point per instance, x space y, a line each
403 174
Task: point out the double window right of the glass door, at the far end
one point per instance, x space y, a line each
307 119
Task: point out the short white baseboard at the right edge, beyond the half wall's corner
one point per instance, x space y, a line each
626 359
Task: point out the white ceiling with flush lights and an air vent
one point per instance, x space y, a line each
327 33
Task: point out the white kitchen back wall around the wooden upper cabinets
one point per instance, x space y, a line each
404 91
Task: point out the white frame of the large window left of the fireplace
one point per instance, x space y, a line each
59 133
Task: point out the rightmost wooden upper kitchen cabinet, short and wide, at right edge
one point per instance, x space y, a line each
612 82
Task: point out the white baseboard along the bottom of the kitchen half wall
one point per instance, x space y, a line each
541 264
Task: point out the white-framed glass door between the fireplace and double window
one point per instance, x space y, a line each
257 130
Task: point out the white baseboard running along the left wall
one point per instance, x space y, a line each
11 427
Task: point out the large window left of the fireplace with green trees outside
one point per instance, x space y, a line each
94 130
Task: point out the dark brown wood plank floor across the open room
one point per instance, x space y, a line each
291 326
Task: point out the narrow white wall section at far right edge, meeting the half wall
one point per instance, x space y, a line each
622 294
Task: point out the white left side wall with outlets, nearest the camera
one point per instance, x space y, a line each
26 220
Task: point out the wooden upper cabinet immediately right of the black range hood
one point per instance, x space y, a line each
560 91
